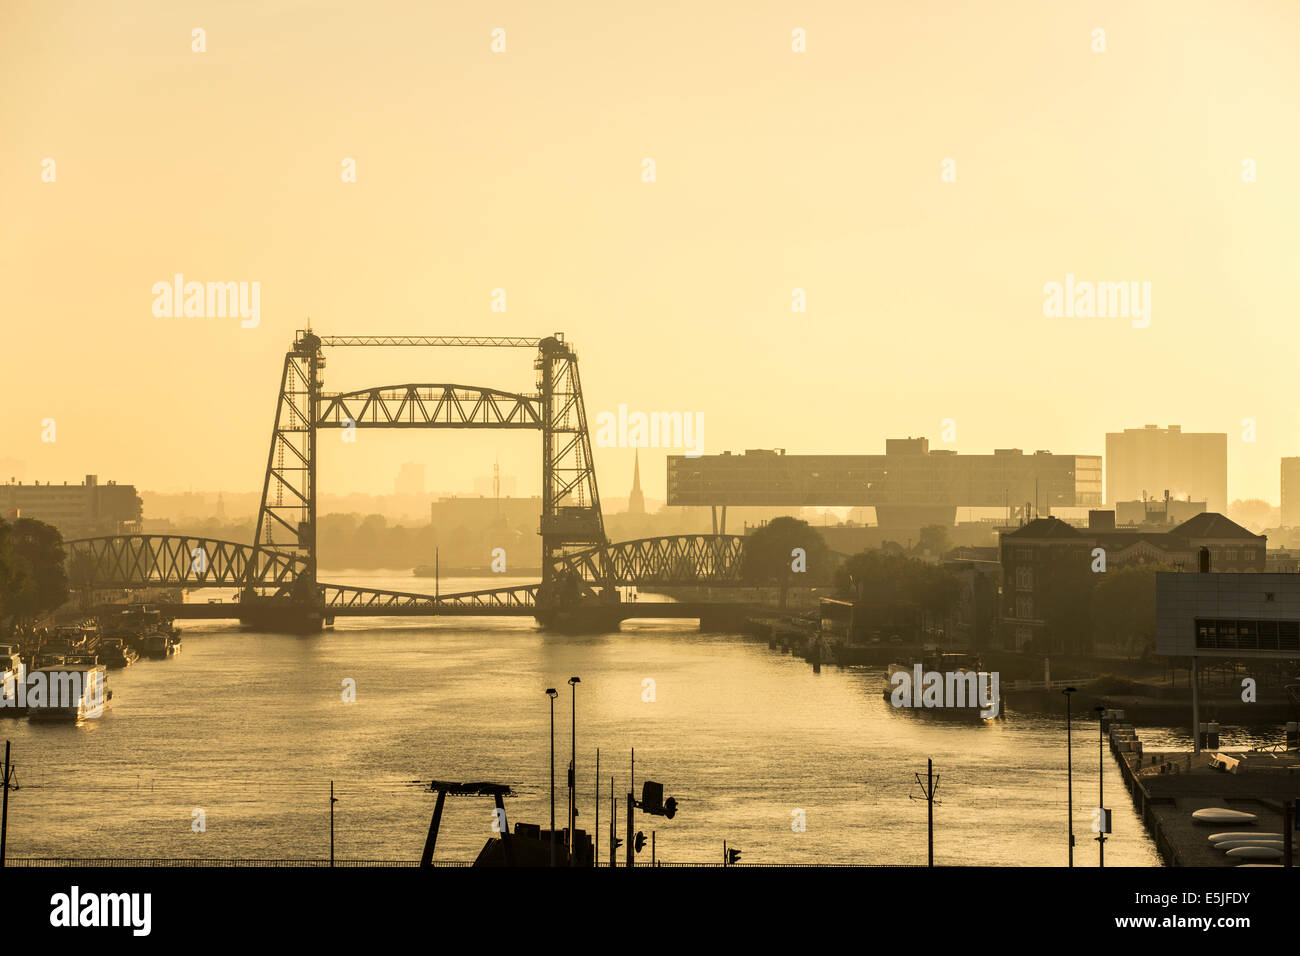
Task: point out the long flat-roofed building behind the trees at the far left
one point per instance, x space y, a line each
85 511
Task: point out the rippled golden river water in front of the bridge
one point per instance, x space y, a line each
253 728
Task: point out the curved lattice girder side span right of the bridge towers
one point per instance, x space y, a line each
677 560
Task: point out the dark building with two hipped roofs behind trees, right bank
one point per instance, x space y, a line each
1048 561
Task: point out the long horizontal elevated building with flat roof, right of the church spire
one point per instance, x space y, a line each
909 487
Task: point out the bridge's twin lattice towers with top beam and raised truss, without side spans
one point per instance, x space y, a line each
571 520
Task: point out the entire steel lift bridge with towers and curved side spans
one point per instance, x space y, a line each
276 576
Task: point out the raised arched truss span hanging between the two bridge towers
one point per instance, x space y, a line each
430 406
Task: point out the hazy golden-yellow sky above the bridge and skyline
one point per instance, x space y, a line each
523 171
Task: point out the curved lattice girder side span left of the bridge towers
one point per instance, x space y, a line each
172 561
